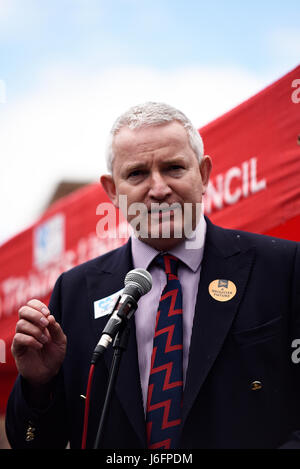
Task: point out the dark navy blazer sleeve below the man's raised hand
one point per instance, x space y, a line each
29 427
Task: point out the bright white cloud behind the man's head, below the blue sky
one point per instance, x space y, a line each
59 130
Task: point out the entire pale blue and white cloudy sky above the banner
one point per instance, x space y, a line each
68 68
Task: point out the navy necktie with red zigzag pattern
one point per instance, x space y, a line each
163 415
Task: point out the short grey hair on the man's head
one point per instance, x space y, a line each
148 114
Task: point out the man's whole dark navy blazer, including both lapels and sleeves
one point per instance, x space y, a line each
233 345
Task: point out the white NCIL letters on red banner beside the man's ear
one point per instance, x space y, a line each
219 192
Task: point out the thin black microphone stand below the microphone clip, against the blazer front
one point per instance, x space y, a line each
120 344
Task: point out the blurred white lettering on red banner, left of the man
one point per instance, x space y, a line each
15 291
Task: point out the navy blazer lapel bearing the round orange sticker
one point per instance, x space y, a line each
213 318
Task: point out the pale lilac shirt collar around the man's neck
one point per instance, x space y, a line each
190 251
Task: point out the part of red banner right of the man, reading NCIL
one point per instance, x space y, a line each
256 155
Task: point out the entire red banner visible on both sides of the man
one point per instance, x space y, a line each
255 150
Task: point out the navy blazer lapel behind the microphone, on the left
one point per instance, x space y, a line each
104 280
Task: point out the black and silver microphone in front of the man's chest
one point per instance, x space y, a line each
137 282
